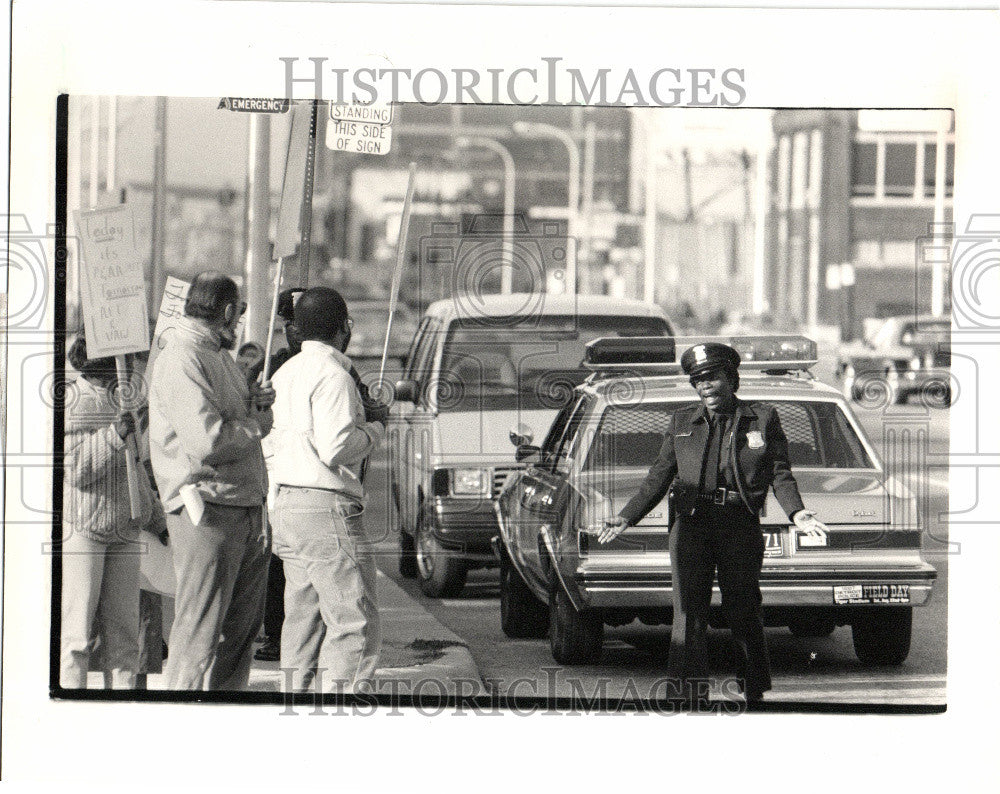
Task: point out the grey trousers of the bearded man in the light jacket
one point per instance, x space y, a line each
221 569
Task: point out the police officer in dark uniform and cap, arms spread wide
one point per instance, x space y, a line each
718 460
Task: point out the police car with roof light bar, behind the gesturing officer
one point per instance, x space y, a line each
865 571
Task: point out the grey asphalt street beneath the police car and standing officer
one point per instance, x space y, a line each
634 658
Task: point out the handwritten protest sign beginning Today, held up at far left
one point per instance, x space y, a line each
113 291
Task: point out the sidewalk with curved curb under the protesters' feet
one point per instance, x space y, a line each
419 655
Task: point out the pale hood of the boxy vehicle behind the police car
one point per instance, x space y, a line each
467 434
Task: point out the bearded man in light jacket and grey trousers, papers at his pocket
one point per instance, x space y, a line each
206 423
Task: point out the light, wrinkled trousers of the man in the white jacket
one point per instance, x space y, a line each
331 636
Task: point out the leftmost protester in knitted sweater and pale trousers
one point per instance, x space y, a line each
99 553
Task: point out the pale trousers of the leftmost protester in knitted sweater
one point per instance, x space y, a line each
99 580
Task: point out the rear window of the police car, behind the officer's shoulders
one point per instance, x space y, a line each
819 435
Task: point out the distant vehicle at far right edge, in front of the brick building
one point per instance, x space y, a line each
907 356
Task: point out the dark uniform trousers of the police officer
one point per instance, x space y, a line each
727 540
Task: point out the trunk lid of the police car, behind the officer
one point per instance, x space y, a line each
839 497
